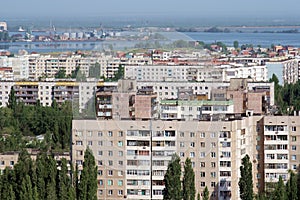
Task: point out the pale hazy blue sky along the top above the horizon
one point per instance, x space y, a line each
91 8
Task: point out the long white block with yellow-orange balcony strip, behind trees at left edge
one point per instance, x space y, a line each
80 93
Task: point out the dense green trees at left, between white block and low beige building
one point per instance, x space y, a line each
19 124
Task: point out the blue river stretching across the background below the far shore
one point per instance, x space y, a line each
263 39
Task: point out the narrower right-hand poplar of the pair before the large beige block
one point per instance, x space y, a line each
188 183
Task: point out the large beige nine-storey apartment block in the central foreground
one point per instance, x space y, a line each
132 155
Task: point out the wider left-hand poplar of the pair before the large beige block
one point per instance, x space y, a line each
172 190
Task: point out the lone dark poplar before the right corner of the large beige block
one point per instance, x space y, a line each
245 182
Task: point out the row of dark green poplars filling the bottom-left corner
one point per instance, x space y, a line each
45 178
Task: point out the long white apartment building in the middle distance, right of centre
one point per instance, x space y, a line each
203 72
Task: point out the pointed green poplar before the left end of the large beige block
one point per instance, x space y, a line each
88 179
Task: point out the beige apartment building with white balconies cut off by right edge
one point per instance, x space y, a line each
281 136
